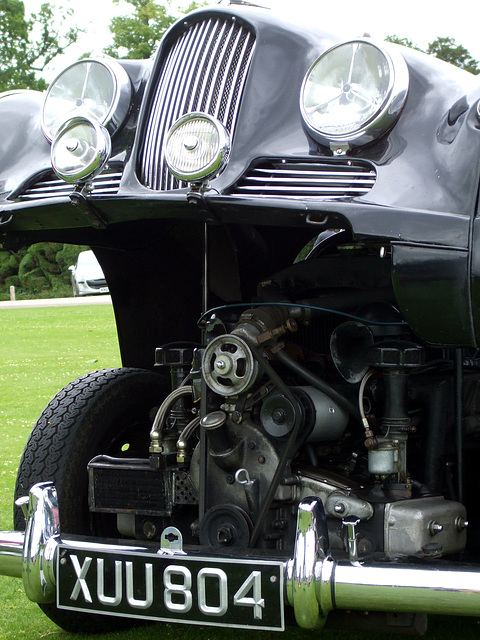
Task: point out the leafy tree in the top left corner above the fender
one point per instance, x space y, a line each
28 45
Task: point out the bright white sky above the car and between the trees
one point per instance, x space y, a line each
418 20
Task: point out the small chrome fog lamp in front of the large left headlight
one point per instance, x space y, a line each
80 150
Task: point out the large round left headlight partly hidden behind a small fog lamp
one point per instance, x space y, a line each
97 89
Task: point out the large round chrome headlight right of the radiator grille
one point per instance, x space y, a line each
353 93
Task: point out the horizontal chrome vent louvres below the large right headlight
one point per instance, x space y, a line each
316 179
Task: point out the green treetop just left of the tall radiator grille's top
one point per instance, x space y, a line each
138 35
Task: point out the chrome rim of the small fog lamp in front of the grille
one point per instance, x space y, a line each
209 169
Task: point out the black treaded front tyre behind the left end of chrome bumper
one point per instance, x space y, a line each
99 413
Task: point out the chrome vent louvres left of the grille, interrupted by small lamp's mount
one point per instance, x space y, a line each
49 186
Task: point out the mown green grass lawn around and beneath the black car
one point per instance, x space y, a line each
42 350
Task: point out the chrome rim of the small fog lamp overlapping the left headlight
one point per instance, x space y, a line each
100 156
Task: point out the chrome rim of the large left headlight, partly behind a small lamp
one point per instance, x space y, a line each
119 103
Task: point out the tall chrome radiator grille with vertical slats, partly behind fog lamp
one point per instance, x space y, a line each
204 70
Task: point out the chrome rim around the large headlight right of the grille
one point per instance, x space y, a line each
387 113
